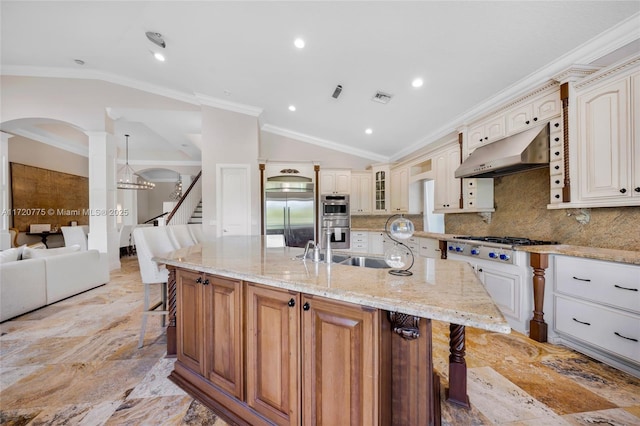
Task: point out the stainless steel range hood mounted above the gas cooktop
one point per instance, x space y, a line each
523 151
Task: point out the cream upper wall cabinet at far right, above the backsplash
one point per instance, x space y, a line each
608 142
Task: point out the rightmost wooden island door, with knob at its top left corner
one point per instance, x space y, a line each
340 371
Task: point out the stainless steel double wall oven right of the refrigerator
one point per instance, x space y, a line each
335 218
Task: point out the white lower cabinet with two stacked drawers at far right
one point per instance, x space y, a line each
597 309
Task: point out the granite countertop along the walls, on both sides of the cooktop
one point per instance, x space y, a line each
596 253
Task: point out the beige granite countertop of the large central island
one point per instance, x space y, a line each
445 290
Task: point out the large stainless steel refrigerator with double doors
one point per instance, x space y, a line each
289 210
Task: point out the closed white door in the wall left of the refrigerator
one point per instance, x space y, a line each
234 199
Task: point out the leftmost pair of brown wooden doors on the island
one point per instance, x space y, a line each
209 328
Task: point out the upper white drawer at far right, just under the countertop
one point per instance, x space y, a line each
613 284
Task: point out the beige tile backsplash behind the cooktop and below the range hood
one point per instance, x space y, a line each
521 211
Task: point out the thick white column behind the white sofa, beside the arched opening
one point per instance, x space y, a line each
103 233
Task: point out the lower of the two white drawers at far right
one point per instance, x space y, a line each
613 331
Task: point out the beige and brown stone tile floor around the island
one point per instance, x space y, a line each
77 363
